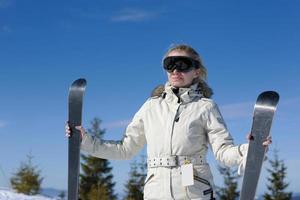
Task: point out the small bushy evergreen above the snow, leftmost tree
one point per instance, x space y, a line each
27 179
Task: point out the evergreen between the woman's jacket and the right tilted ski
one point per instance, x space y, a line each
229 191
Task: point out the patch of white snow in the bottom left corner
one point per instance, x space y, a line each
6 194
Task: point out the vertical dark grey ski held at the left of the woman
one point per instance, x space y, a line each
76 92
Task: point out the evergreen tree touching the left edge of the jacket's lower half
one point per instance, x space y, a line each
137 175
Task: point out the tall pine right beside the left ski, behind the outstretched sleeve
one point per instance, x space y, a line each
96 179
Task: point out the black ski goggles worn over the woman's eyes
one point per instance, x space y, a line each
180 63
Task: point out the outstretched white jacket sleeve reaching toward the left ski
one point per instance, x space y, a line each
133 140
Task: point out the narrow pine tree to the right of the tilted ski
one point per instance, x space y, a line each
277 184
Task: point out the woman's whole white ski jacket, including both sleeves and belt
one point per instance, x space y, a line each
177 131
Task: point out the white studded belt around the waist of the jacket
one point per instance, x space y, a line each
174 161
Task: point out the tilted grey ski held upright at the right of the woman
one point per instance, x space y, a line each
264 110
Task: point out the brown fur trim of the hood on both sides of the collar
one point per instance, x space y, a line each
202 86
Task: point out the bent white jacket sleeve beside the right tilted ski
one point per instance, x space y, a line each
221 141
